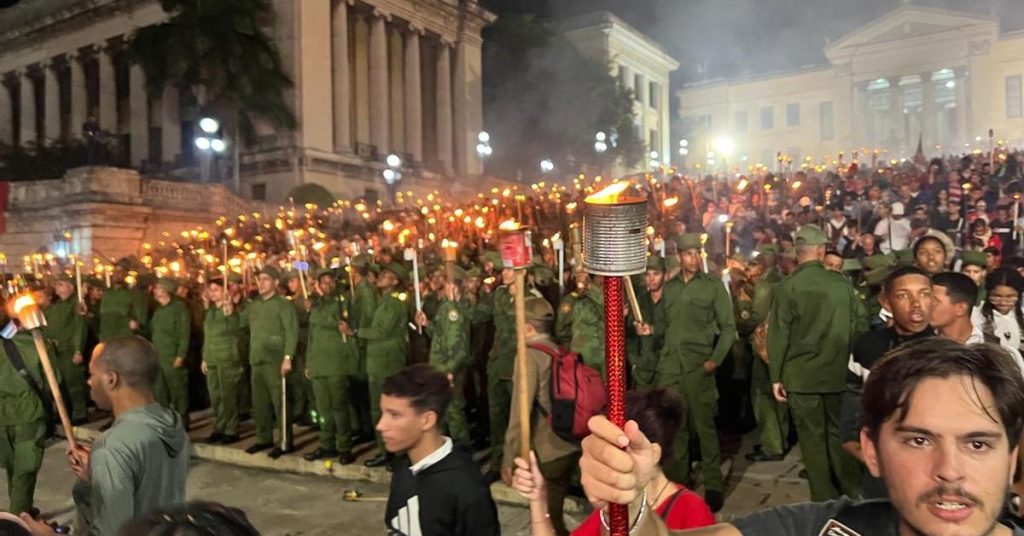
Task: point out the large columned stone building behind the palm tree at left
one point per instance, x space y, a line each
372 77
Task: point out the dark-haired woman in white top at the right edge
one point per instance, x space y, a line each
1001 316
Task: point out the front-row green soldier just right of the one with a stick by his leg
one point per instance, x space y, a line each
332 360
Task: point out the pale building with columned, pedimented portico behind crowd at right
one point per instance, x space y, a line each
918 73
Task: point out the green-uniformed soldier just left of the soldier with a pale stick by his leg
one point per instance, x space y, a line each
223 361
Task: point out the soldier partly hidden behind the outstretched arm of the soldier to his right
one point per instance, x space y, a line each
361 315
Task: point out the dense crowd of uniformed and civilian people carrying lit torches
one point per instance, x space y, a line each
783 292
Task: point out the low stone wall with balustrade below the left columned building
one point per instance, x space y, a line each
109 212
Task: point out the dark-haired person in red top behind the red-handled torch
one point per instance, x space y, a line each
660 413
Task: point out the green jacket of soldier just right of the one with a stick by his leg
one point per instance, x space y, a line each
328 353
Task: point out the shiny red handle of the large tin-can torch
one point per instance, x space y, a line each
615 355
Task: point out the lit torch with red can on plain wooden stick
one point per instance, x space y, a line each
517 255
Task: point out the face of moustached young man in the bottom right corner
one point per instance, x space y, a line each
948 464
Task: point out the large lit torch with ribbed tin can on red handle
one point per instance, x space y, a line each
614 224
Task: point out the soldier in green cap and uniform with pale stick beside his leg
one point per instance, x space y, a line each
274 338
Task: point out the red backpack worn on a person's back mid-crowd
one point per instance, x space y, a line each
577 394
